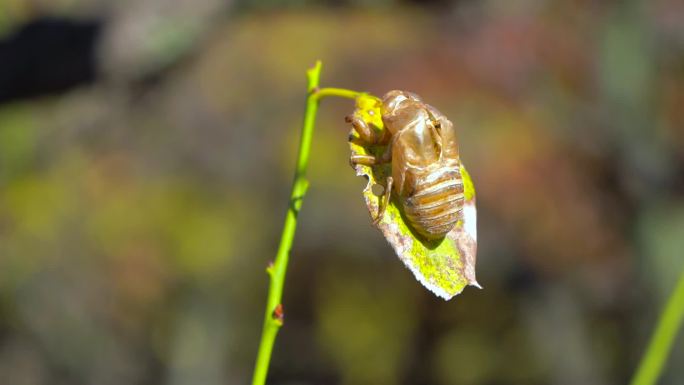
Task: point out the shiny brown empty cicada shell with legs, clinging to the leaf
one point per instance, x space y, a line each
426 174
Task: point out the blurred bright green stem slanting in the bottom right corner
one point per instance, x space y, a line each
662 339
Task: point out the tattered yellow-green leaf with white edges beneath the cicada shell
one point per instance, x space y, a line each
444 266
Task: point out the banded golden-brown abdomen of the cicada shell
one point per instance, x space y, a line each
436 203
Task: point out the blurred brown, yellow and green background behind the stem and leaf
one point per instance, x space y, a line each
147 149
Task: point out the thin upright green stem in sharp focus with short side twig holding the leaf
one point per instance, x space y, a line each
273 319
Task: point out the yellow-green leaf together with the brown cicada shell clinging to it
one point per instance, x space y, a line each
426 210
